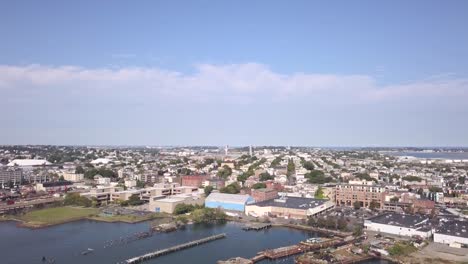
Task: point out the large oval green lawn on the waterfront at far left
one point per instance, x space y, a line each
56 215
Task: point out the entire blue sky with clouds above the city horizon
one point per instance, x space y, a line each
308 73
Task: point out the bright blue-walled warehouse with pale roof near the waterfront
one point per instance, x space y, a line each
225 201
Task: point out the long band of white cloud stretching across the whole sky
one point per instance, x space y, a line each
243 83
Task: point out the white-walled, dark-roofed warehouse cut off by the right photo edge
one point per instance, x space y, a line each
453 233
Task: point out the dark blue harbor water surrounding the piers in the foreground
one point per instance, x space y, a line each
65 243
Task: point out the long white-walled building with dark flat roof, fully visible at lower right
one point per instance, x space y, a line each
400 224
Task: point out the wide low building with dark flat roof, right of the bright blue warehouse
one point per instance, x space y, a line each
289 207
